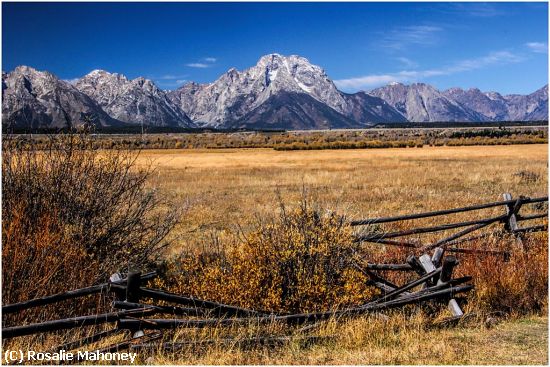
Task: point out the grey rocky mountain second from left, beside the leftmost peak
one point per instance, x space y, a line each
137 101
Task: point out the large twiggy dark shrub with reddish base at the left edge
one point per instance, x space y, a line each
72 214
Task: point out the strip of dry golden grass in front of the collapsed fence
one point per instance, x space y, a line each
399 341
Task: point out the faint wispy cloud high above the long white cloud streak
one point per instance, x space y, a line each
419 35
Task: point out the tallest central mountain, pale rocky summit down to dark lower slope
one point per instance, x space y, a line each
273 79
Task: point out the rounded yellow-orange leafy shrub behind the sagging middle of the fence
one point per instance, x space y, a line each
301 262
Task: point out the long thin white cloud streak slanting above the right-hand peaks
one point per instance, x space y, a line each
374 80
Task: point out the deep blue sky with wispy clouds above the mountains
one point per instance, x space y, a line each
492 46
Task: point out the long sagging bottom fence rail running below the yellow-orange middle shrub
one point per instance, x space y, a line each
289 319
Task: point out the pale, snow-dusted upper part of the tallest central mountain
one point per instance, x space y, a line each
235 93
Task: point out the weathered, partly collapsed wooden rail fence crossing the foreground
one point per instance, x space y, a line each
134 305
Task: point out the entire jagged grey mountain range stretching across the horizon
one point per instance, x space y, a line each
279 92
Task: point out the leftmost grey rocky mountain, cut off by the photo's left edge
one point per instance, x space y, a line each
36 99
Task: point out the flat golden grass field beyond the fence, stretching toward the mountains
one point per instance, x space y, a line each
223 188
